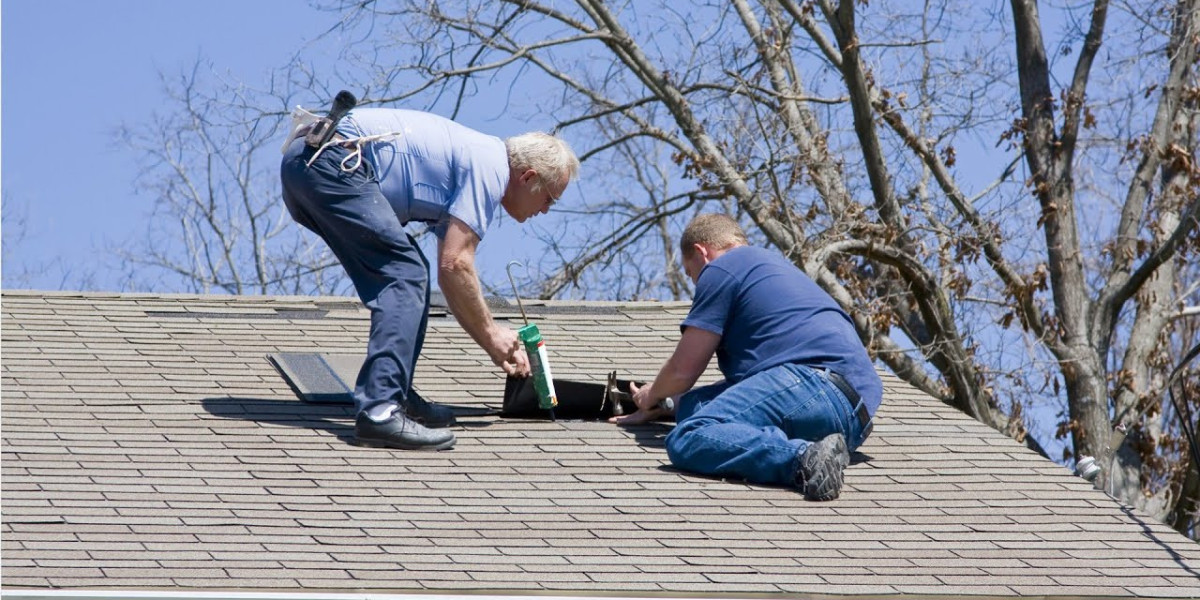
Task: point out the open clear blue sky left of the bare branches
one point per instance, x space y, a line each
73 73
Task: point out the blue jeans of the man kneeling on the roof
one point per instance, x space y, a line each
759 428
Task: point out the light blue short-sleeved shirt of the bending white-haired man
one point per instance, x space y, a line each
435 169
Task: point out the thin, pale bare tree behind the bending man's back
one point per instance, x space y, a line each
211 164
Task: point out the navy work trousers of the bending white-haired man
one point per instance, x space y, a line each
389 271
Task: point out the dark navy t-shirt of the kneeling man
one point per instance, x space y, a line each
770 314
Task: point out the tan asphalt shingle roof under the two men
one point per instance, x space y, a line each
148 445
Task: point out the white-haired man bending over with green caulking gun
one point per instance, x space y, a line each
383 170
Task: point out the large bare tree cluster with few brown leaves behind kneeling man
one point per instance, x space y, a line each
1007 212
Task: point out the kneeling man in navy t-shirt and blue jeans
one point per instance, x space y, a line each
800 391
